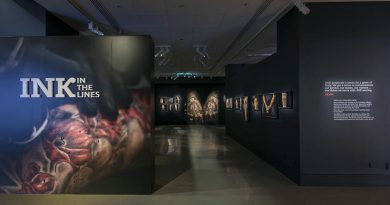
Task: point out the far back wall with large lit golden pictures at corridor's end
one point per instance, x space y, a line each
186 103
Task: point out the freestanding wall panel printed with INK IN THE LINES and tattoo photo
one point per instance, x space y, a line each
75 115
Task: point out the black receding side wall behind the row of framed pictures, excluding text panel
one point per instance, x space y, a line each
275 140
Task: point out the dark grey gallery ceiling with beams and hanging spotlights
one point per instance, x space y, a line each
227 31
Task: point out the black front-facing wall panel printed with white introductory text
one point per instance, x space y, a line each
344 81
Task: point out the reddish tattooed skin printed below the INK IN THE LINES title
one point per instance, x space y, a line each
71 149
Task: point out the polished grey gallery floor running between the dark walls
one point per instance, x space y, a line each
200 165
